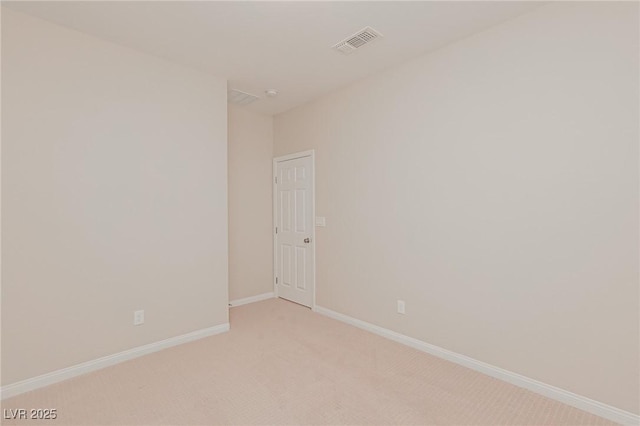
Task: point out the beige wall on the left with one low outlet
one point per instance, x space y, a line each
114 195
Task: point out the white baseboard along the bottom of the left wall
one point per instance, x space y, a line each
97 364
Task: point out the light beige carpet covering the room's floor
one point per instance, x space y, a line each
283 364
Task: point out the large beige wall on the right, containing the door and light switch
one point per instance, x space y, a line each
493 186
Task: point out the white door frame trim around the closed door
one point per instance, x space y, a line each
312 154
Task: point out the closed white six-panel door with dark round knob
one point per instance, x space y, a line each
294 246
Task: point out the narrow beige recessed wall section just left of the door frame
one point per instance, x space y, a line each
250 208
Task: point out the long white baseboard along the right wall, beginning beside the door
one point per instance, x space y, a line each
598 408
